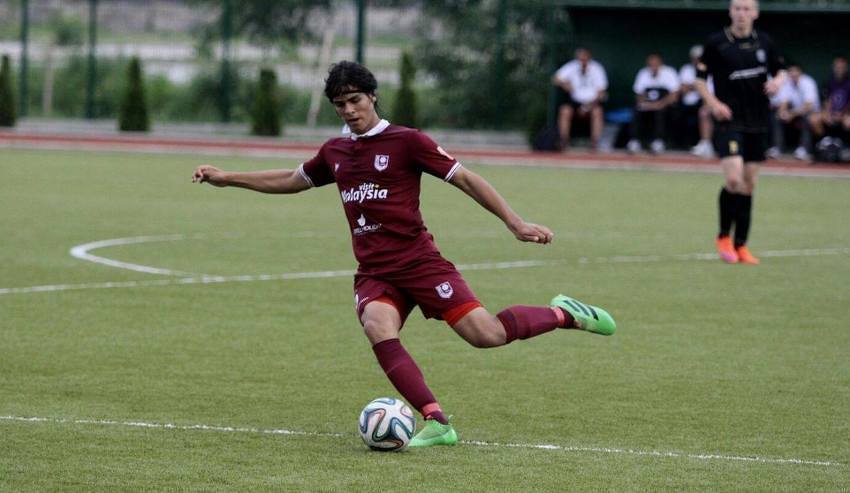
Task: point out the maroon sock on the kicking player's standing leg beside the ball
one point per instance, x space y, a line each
407 379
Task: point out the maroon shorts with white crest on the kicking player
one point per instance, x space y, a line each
435 285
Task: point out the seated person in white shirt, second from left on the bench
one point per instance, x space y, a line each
657 90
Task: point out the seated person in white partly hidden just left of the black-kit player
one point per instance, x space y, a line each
693 109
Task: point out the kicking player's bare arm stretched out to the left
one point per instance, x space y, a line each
267 181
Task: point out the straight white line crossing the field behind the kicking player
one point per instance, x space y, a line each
206 279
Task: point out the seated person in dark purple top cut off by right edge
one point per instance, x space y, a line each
834 119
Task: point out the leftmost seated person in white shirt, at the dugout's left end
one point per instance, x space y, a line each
586 83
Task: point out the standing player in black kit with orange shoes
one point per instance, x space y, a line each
739 58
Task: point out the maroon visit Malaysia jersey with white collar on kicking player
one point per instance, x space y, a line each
378 176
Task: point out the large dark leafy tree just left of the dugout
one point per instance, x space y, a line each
481 82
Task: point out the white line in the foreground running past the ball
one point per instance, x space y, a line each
476 443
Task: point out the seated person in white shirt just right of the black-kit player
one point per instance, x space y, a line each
797 101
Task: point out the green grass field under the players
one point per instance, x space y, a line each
720 377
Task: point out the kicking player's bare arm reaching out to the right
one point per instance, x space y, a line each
479 189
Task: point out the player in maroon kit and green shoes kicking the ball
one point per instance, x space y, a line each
377 168
